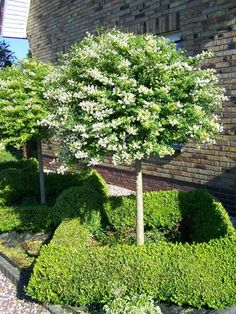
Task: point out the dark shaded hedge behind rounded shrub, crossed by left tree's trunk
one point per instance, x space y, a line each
21 183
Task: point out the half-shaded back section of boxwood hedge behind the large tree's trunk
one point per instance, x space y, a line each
193 216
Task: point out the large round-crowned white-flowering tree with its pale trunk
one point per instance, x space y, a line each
130 96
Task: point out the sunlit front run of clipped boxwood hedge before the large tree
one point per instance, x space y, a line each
201 275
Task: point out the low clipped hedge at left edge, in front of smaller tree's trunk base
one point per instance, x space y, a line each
23 218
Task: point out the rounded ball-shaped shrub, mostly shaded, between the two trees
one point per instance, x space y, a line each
82 202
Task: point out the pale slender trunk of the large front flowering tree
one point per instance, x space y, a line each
139 203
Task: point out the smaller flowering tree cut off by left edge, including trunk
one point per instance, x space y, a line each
22 106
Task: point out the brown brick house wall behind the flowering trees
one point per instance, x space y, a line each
55 25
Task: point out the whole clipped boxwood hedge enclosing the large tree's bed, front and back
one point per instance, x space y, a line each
75 268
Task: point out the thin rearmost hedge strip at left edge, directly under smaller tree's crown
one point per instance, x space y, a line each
30 164
